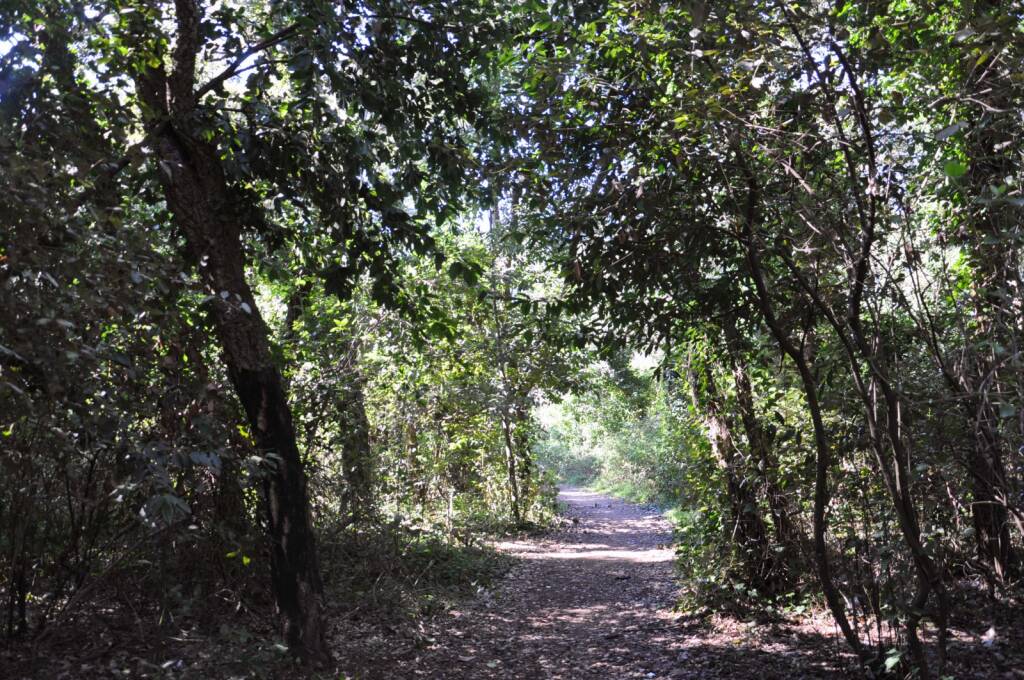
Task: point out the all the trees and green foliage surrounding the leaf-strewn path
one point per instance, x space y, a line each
285 284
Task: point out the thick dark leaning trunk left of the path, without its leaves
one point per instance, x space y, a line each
200 199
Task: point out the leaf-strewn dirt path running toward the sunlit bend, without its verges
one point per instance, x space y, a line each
594 603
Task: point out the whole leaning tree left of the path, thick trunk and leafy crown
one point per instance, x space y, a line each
382 100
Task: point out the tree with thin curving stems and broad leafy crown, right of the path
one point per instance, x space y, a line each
759 166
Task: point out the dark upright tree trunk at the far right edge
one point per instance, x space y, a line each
995 258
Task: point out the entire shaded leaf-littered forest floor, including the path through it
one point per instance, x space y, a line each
595 599
